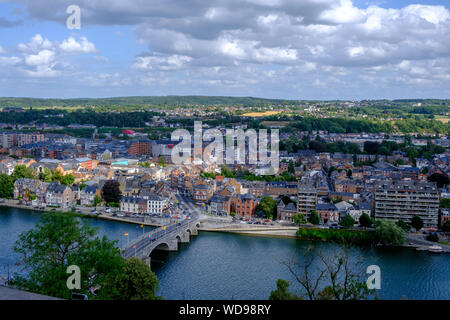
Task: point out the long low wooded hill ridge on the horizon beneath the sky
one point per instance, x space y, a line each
149 100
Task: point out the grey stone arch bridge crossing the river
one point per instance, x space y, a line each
164 238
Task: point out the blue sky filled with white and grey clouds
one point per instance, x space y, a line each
295 49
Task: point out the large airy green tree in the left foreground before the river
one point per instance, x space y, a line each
58 241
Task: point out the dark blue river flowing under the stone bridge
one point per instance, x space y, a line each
230 266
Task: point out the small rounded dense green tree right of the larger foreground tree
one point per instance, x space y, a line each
135 282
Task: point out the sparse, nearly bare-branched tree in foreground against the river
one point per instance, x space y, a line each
324 277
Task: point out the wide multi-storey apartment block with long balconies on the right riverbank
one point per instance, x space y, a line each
404 199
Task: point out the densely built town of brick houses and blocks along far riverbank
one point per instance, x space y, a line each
328 179
